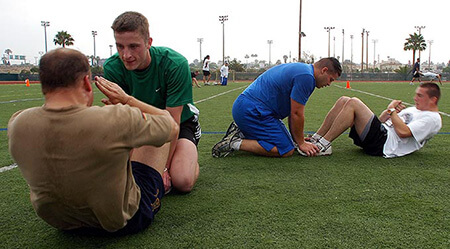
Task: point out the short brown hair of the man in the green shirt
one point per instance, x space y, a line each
131 21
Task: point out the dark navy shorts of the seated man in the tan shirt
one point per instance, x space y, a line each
152 190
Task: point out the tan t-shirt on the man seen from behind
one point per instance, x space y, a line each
75 161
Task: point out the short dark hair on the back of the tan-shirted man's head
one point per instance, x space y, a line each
61 68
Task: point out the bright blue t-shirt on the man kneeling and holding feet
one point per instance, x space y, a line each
275 87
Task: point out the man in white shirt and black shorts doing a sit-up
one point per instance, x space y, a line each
396 132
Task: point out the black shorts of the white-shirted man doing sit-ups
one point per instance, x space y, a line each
374 142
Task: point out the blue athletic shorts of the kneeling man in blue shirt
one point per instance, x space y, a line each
257 122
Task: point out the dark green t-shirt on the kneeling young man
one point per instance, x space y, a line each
166 82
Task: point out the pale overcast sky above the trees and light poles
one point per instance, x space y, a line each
251 23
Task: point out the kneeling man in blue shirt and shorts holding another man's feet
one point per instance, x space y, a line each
280 92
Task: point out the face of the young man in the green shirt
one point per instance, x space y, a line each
133 49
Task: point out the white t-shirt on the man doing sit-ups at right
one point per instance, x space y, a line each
423 125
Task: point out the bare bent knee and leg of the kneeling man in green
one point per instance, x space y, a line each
184 169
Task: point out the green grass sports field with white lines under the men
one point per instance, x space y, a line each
347 200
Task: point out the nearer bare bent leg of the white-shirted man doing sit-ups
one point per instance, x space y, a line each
354 112
